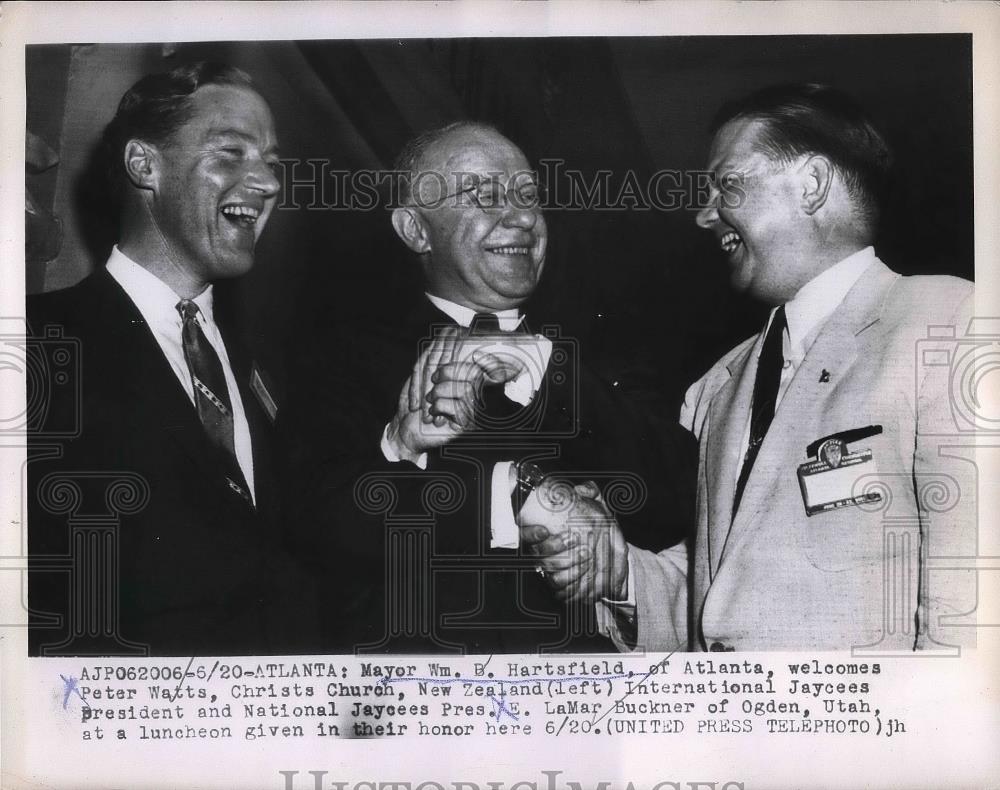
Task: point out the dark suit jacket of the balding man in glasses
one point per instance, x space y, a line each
404 555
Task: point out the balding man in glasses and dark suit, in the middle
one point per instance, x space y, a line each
410 430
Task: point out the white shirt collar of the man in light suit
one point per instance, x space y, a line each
818 299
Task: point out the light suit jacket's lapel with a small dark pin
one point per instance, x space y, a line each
835 351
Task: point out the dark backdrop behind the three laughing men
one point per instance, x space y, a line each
643 290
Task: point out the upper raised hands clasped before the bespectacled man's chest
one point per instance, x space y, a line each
438 400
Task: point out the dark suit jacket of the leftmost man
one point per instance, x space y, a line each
189 566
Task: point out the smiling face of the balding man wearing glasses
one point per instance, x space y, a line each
484 260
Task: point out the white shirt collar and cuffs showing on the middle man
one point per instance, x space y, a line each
503 528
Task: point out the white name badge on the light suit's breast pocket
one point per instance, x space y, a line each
828 482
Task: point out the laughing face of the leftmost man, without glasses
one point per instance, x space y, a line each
215 185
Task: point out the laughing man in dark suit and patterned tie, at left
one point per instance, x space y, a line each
152 525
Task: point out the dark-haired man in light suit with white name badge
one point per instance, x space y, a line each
829 502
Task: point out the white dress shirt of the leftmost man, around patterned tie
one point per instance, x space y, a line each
157 303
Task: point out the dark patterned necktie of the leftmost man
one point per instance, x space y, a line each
211 395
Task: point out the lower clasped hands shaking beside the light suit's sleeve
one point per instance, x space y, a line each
581 550
